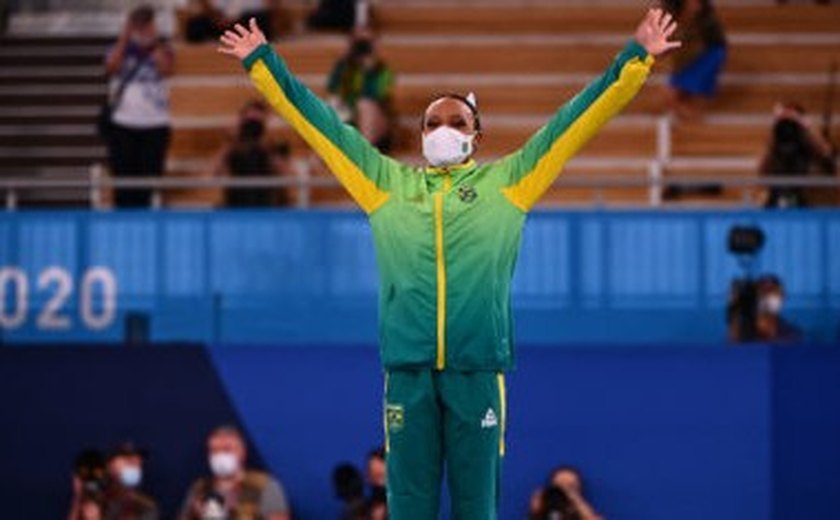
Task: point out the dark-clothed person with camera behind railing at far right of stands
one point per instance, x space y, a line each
795 149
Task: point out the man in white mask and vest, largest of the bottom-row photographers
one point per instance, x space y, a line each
233 490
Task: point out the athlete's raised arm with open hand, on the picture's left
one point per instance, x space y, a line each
360 168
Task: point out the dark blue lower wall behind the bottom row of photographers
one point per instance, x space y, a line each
660 433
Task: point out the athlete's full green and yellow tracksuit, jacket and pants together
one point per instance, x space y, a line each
446 241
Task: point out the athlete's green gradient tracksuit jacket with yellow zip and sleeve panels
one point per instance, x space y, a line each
447 238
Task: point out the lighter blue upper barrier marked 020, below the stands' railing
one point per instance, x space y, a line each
259 277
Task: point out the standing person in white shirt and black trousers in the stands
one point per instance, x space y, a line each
139 135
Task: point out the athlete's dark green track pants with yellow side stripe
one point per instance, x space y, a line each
432 419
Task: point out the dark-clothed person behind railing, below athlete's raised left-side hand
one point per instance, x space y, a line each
251 153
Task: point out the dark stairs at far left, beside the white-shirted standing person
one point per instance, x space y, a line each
50 91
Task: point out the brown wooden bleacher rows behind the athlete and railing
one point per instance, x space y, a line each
776 53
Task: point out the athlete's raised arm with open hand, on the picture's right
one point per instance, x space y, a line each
535 166
